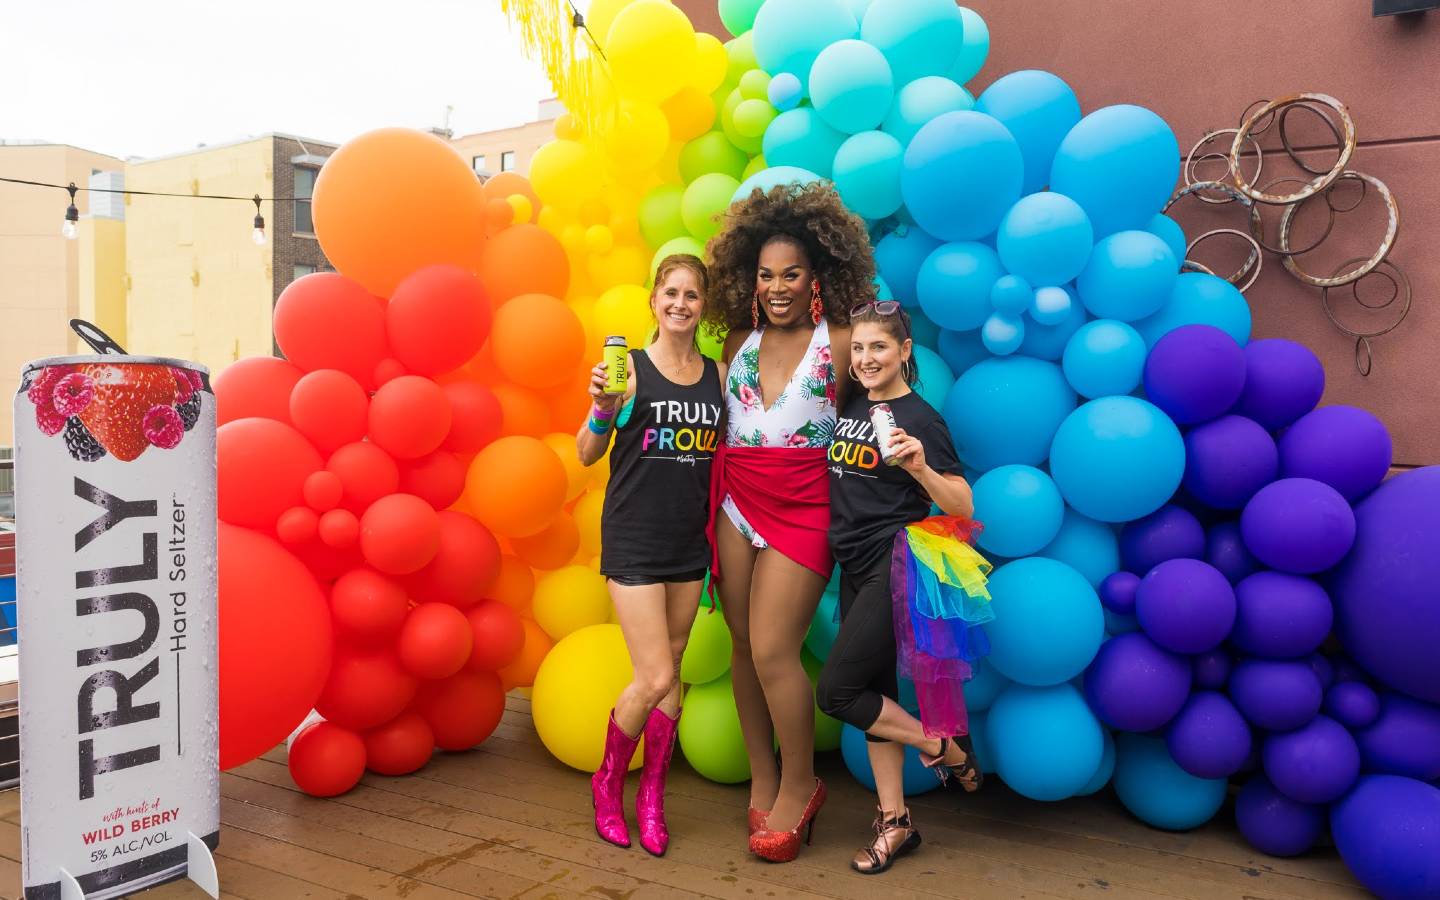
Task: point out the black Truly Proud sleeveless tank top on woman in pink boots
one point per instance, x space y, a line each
659 498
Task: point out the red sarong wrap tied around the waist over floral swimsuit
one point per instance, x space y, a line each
784 493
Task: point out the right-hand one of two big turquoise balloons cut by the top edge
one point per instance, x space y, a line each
918 37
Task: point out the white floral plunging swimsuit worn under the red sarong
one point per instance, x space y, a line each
803 415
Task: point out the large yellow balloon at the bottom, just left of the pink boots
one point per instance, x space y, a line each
574 693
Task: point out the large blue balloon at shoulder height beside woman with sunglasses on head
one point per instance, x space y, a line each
1007 411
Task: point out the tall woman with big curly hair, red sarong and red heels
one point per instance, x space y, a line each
787 269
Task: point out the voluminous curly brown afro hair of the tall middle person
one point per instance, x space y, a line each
816 218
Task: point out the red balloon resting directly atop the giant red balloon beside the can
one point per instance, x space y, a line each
263 466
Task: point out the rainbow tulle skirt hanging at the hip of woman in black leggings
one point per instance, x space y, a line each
940 604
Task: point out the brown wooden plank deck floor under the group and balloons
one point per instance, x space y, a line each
510 822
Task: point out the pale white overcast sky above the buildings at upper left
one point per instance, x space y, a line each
158 77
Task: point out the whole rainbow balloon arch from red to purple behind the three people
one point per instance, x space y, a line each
1200 577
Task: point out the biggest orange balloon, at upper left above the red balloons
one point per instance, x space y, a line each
394 201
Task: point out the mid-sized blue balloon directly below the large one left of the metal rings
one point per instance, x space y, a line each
1130 276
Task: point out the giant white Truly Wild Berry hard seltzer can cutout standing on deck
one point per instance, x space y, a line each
116 545
